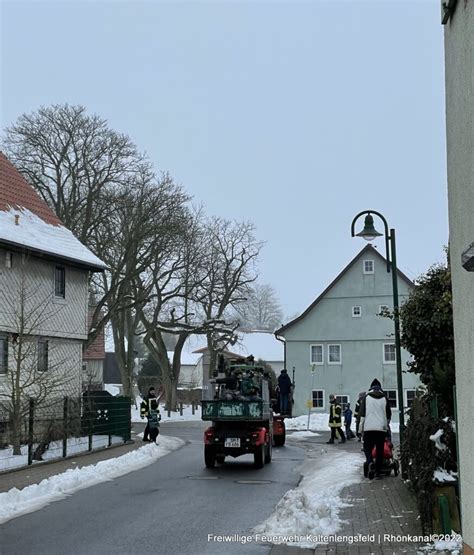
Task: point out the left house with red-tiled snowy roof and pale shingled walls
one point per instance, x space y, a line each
44 273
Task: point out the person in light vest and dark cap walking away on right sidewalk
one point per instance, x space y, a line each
375 415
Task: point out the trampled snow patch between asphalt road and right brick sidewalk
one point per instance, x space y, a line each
314 506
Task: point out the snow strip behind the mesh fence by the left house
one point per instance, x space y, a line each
55 451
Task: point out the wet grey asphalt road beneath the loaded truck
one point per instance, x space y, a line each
167 508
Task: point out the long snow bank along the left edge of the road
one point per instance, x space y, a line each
14 502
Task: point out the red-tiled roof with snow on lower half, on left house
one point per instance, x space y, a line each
26 221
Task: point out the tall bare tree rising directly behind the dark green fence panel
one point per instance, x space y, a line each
127 242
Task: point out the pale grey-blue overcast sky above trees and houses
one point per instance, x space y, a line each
294 115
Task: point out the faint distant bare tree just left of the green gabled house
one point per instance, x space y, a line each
261 310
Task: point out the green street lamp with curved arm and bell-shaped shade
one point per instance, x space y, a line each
369 233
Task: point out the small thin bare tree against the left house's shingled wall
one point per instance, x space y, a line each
35 368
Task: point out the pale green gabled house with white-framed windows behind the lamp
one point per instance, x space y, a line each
341 342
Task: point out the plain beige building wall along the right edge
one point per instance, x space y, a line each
459 70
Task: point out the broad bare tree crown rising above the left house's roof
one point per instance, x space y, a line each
73 160
